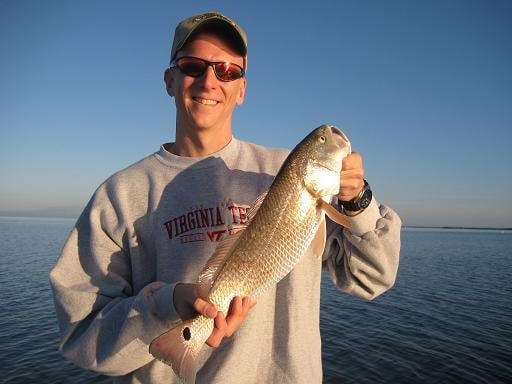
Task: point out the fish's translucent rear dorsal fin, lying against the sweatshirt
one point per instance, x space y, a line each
214 264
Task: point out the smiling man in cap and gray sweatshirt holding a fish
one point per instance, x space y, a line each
127 271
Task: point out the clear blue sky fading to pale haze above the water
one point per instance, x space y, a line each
423 89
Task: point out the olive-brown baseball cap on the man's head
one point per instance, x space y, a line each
209 20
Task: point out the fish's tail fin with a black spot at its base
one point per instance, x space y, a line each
184 347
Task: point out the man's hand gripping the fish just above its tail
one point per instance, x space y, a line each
188 305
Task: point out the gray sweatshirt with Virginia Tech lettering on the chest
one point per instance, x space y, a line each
155 224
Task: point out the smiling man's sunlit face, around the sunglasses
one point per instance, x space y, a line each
206 102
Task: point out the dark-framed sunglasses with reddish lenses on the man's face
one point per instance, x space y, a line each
196 67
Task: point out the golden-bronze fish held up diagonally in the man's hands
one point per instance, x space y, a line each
282 224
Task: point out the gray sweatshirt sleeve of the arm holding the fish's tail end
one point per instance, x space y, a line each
105 325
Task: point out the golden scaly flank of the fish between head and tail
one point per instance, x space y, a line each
276 248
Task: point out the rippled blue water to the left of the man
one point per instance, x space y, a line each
28 329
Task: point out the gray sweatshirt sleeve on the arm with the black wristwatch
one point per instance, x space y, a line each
363 260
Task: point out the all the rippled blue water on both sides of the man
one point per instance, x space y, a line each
448 318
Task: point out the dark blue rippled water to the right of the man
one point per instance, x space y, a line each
446 320
